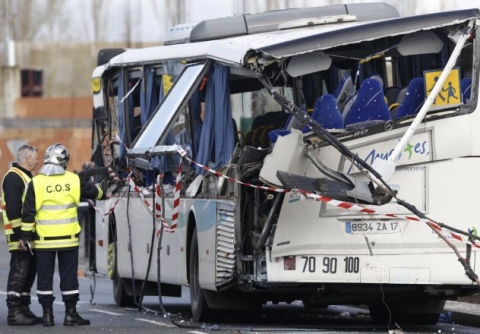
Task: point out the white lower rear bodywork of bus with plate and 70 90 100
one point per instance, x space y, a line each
358 248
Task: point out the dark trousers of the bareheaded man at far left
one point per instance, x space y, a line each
20 278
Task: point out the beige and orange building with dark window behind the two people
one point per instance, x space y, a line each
40 107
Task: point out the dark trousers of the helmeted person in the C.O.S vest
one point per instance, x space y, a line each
67 268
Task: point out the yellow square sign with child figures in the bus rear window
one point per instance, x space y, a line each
450 93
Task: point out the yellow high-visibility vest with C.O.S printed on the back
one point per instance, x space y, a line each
56 201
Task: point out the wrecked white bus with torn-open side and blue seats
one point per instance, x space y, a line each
329 155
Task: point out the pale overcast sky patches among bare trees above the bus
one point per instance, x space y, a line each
151 22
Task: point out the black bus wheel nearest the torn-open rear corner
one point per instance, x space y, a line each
200 309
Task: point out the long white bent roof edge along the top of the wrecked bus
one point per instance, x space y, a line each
284 43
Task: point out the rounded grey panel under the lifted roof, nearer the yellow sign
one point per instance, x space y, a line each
422 42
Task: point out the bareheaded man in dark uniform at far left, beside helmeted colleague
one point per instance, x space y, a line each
23 266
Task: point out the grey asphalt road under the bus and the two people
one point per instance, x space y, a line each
97 305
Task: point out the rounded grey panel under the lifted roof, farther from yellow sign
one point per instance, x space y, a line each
308 63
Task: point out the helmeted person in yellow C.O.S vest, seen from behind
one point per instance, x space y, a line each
50 220
